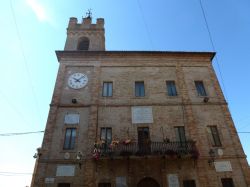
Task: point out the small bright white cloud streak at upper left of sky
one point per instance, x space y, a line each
39 10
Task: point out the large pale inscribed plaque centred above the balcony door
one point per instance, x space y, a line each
142 114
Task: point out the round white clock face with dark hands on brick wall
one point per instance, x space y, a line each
77 80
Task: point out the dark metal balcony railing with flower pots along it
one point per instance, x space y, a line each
171 149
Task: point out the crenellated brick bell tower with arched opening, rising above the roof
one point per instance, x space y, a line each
86 36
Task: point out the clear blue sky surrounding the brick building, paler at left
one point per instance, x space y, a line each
31 30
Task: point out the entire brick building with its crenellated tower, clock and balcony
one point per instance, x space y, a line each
136 118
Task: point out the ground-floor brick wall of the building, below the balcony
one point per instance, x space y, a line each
143 172
